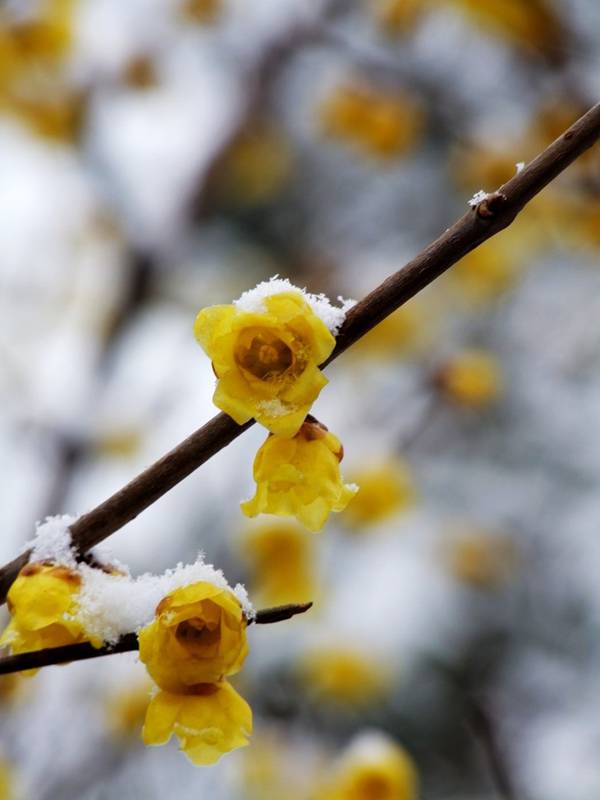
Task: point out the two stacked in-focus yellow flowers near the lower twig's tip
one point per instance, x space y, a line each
197 638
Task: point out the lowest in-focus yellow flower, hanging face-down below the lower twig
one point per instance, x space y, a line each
212 721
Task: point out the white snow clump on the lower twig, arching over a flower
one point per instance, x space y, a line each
112 605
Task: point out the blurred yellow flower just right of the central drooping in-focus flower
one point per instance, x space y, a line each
385 489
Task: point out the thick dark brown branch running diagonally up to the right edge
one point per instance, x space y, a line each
490 217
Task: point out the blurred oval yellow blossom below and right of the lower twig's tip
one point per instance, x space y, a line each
344 675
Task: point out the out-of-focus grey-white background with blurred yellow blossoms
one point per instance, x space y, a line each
157 156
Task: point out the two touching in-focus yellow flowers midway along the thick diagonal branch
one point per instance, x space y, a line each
267 365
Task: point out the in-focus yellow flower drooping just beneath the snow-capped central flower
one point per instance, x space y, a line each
300 477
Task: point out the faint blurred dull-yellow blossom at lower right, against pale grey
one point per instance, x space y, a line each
481 559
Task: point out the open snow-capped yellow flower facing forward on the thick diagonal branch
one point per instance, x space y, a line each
266 363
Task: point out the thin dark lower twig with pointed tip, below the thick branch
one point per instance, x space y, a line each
126 644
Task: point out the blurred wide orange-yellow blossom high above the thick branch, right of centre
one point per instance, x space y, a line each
379 124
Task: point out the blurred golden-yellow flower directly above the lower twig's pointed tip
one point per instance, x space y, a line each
281 559
